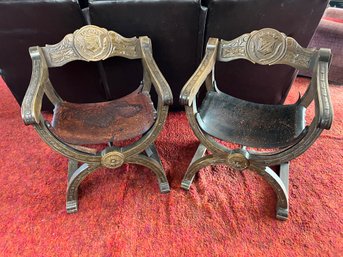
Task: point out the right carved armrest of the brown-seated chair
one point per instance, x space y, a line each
161 85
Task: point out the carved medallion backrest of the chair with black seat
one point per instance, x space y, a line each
267 47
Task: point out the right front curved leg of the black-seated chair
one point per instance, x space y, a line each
280 186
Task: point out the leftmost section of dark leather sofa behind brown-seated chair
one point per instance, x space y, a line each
30 23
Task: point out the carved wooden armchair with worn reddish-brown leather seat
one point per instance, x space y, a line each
76 127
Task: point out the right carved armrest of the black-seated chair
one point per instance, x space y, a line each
324 110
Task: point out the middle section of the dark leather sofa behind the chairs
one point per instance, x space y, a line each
176 31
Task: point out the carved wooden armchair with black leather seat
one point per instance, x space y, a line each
267 135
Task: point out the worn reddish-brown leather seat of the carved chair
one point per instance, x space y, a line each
103 122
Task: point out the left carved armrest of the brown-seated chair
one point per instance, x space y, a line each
32 103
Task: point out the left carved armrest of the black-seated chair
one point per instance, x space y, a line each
192 86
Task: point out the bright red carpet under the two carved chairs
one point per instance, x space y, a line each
122 213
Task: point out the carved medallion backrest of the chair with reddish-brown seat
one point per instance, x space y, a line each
91 43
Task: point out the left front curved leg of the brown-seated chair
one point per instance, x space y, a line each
74 180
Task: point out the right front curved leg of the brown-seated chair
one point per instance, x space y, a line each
153 165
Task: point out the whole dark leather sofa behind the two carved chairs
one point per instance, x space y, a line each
179 31
